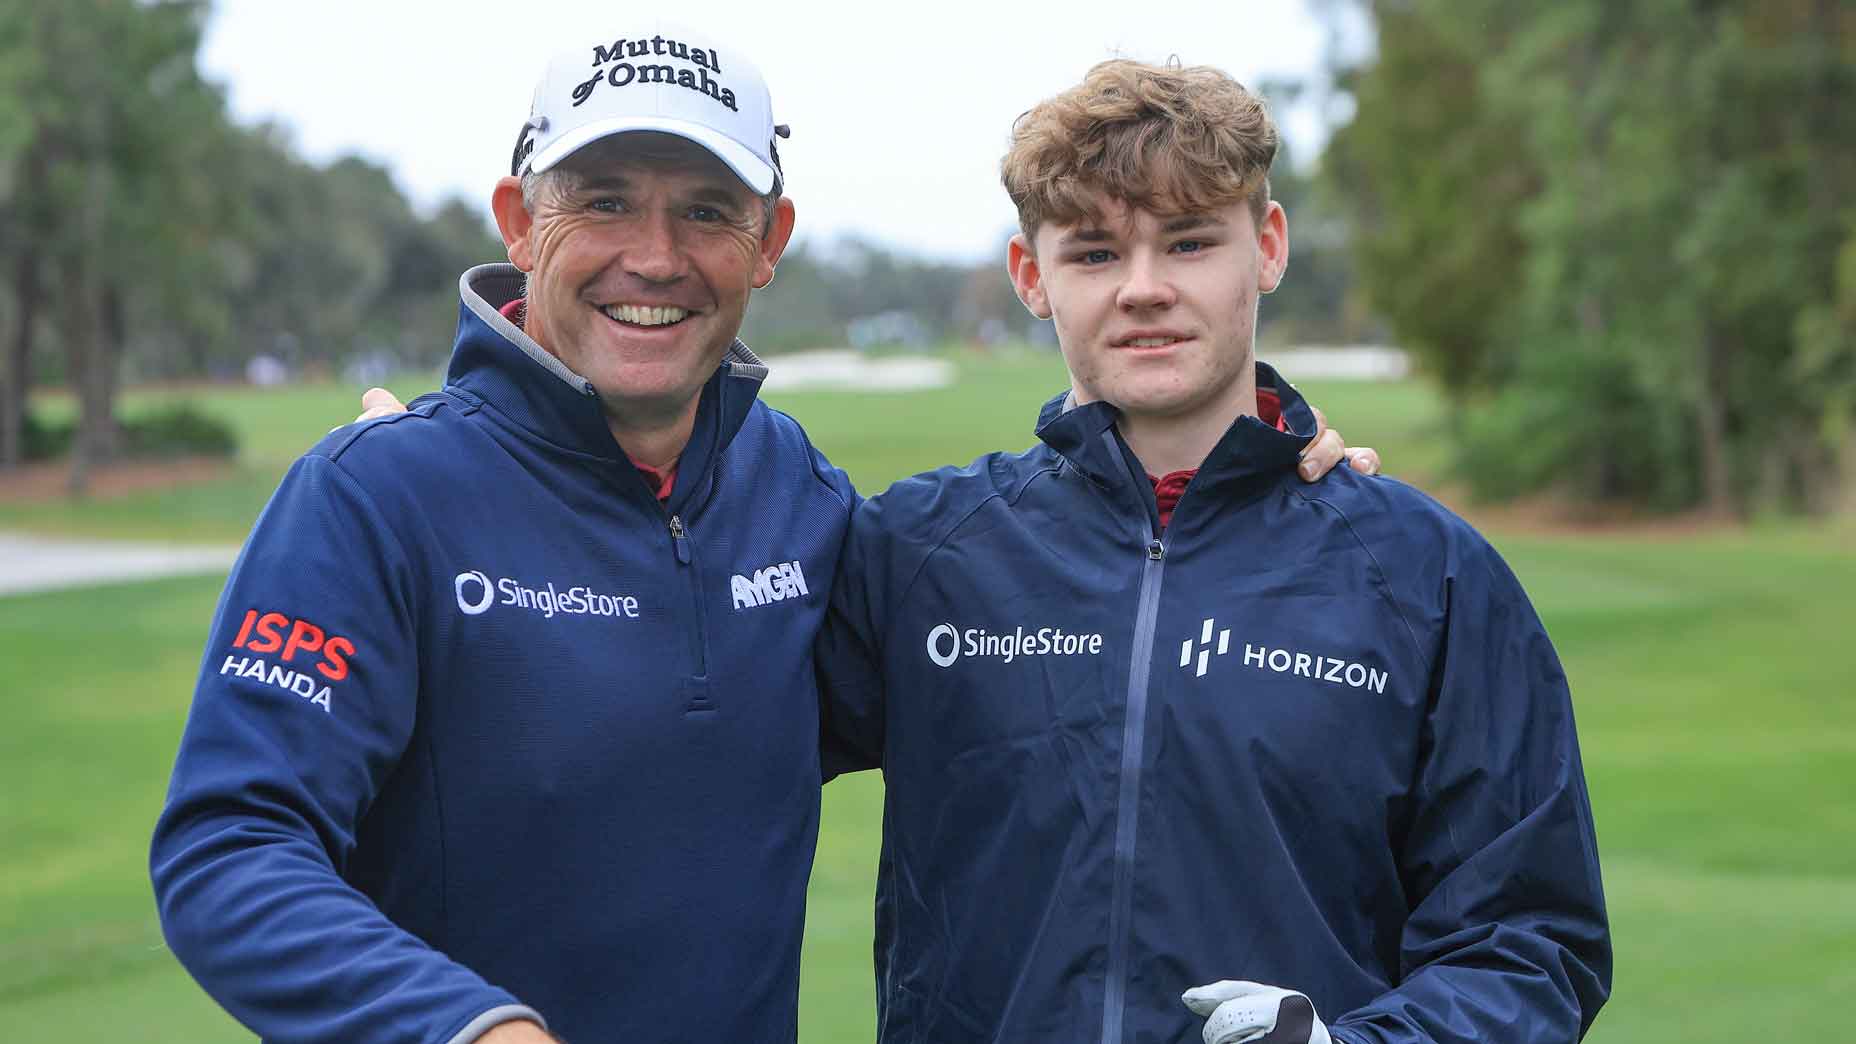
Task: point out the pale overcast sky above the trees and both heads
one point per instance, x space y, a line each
899 112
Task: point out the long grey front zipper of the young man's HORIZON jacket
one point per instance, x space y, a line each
1128 813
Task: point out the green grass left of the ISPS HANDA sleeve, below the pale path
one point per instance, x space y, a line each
96 696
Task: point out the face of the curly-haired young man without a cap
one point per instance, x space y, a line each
1155 313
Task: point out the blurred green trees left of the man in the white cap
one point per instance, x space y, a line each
144 235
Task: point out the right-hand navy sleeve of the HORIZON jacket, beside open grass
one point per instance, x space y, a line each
1508 935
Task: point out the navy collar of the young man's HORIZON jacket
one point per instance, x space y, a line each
1248 458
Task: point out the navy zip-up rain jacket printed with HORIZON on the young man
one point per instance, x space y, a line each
1309 737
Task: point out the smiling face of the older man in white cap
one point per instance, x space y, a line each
641 263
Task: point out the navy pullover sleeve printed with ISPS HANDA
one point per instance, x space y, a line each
303 711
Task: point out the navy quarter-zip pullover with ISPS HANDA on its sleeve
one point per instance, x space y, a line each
485 729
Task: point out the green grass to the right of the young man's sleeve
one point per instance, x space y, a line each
1720 742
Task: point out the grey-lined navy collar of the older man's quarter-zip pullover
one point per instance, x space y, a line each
496 363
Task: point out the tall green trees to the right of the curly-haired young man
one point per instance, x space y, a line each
1614 231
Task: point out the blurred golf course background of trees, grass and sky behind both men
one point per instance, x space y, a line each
1584 270
